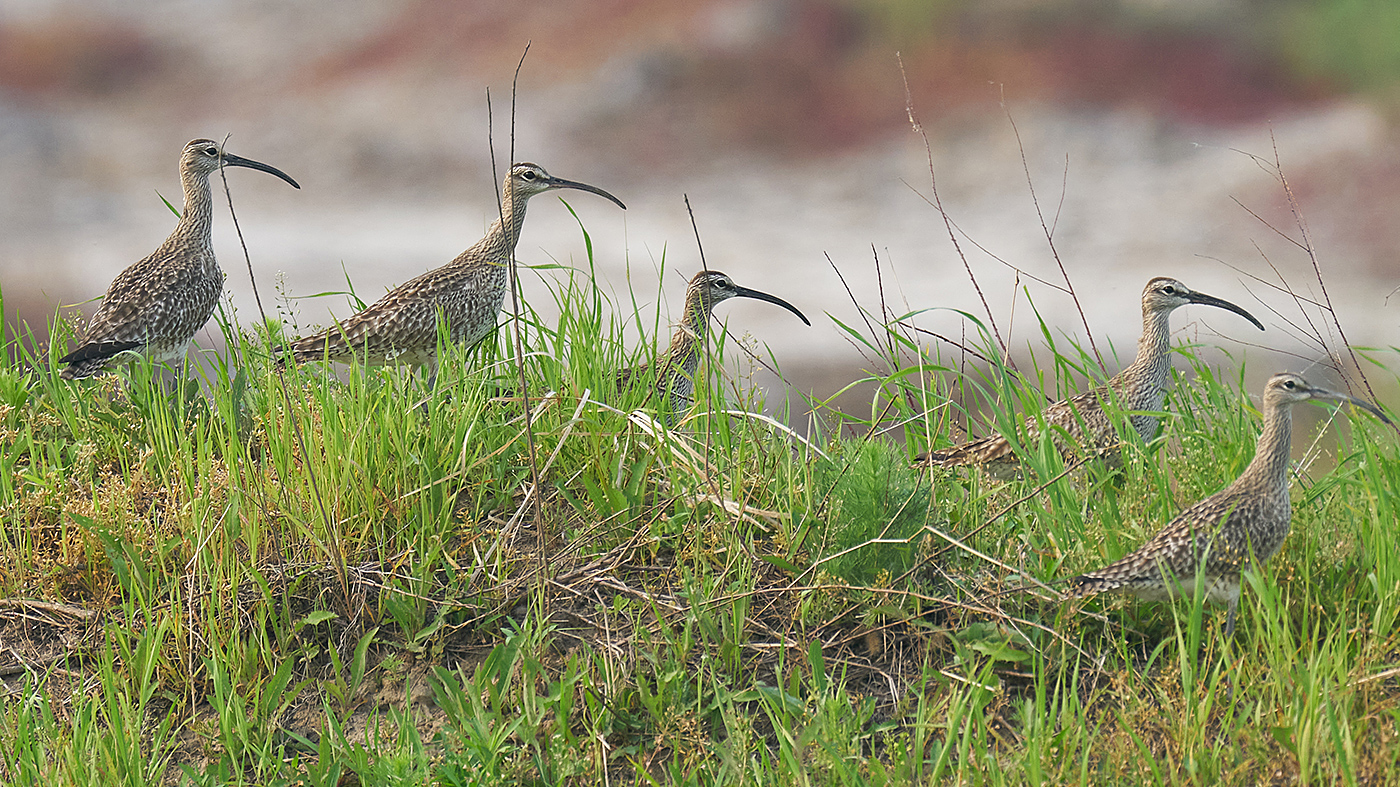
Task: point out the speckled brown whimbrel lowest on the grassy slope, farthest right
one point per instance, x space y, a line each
1214 541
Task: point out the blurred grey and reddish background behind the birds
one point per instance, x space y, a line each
1146 137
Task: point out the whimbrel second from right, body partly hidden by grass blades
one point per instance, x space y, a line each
1140 389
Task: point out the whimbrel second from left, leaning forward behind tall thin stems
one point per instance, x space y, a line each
467 293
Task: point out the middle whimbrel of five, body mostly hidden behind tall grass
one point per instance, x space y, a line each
675 372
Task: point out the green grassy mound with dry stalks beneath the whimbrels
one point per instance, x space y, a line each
338 578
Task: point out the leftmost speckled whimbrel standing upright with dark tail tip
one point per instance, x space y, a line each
156 306
